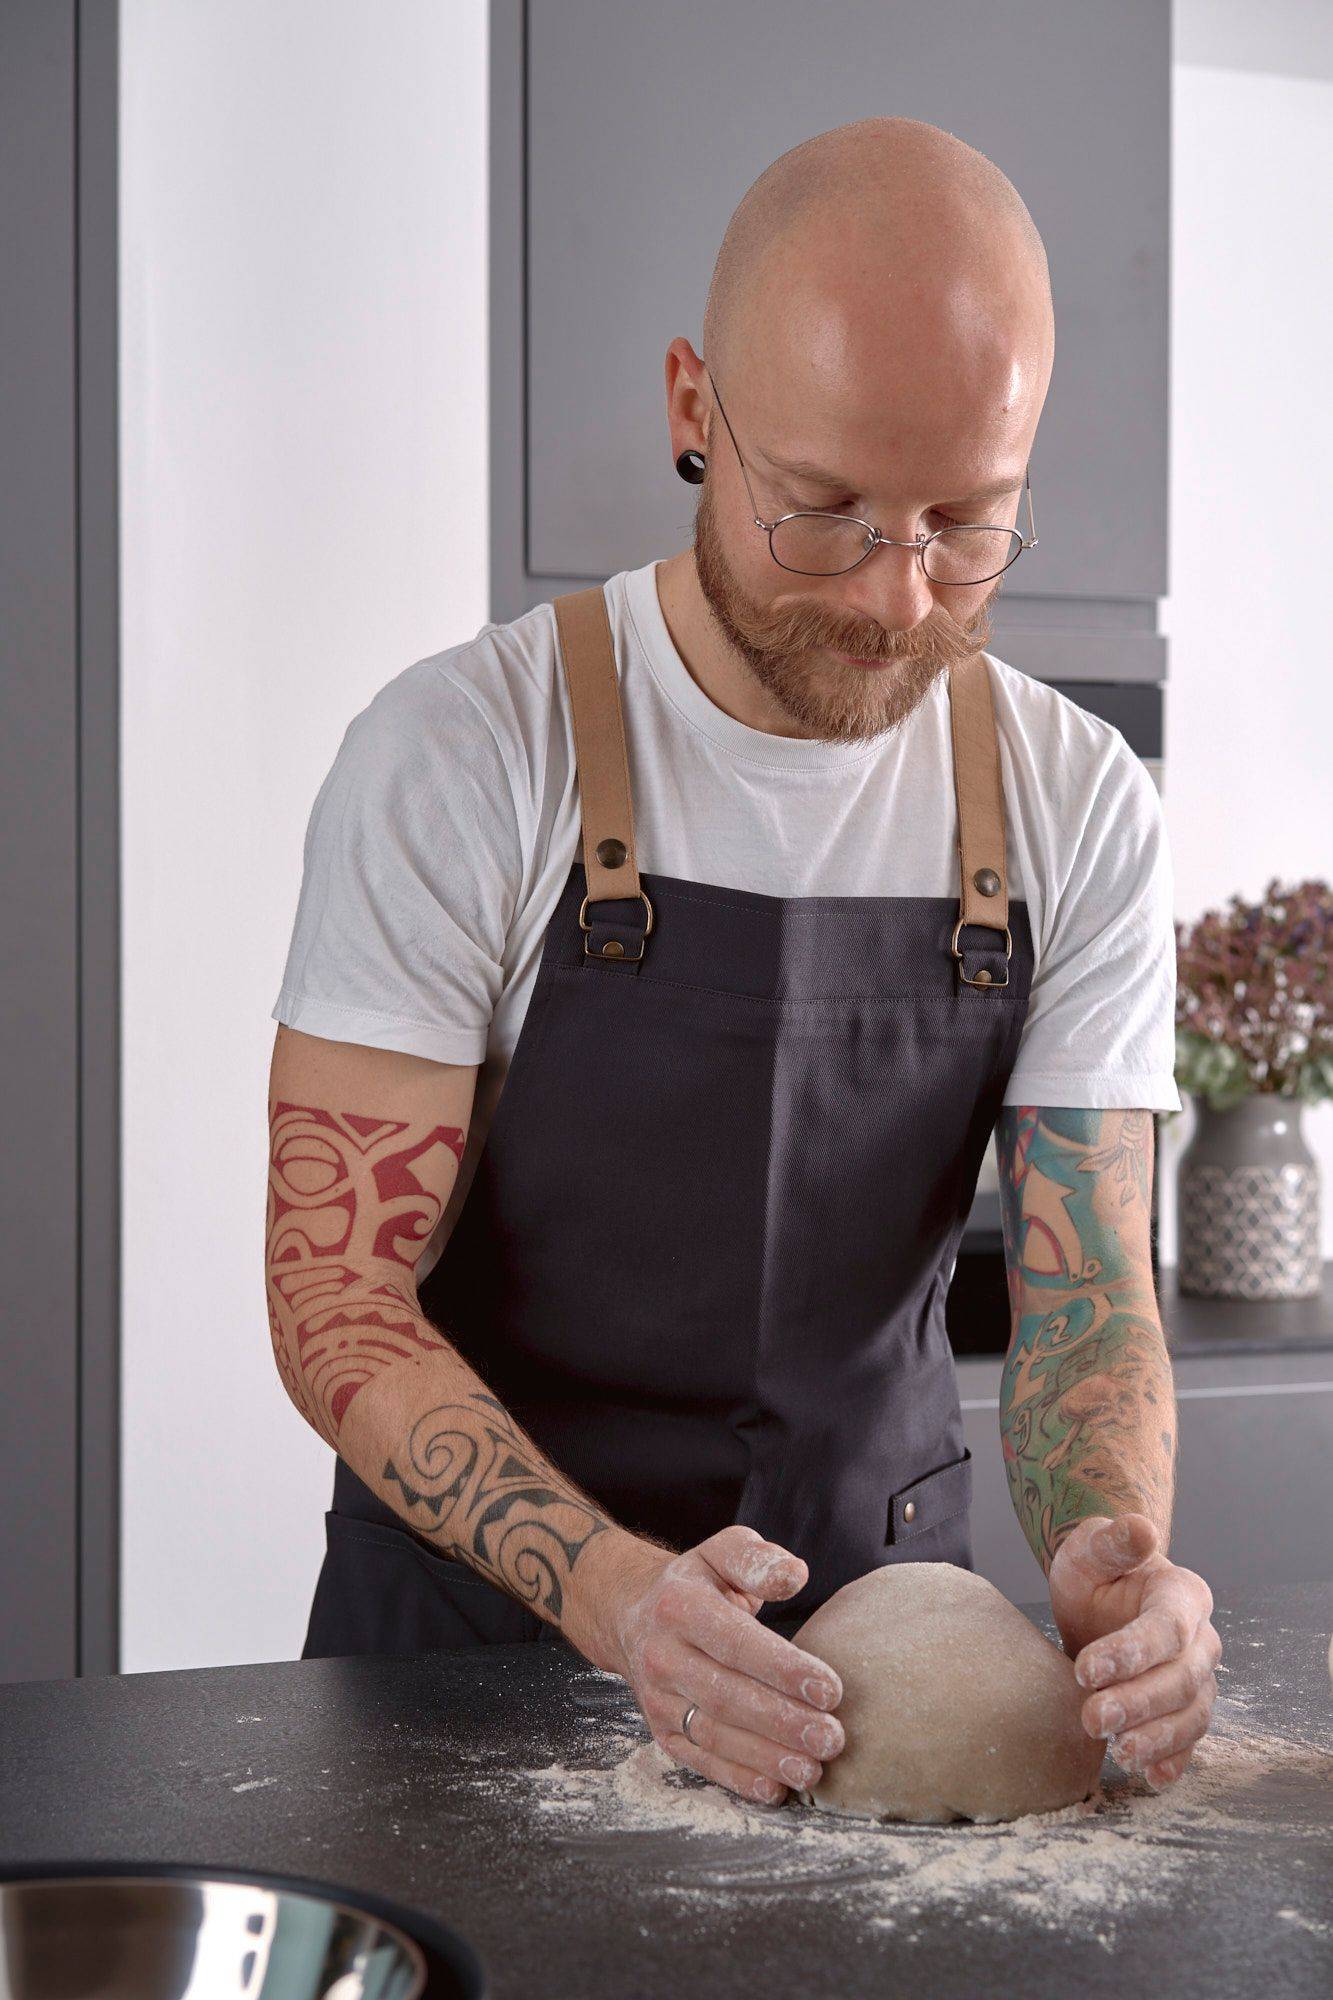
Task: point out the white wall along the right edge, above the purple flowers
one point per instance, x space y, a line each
1250 691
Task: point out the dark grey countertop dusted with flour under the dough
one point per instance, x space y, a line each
421 1781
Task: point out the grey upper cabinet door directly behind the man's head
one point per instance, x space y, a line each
647 125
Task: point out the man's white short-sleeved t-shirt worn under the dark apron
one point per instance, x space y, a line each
449 821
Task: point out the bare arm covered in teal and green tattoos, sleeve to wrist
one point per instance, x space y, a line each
1088 1403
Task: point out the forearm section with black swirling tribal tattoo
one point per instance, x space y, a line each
475 1485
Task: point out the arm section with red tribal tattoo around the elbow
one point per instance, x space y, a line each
347 1223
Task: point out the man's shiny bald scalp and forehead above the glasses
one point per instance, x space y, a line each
884 267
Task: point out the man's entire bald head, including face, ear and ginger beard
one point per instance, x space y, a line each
880 339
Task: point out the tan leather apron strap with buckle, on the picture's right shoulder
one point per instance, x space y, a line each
982 823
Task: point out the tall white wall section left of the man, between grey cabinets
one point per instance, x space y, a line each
305 509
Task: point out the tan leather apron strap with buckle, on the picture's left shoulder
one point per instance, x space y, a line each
603 779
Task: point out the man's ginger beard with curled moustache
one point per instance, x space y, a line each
826 697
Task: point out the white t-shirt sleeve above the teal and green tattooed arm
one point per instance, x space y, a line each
1102 1011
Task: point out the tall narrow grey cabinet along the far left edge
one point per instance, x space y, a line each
61 839
